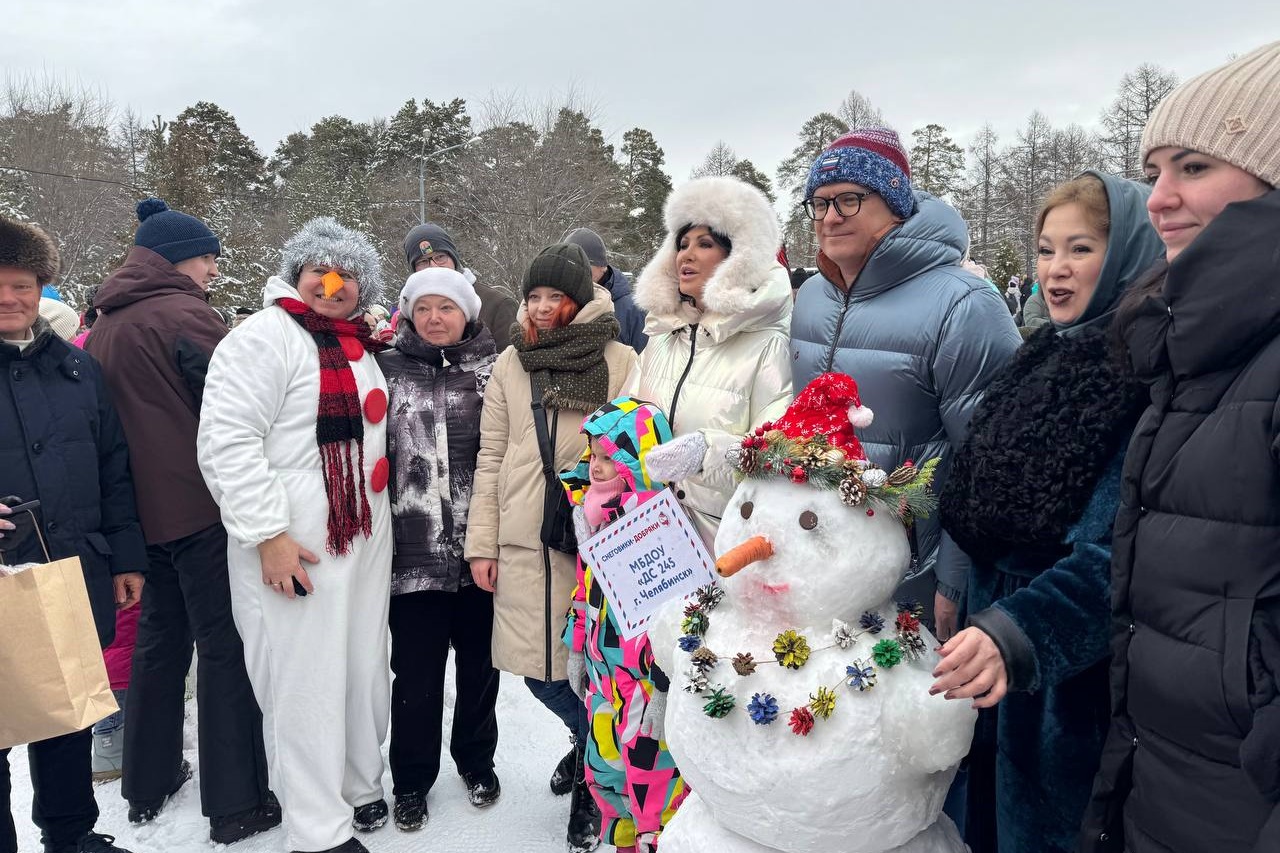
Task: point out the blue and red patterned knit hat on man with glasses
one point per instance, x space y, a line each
870 157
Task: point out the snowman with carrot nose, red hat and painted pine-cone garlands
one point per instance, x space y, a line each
799 710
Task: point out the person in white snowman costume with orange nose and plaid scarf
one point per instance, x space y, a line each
292 445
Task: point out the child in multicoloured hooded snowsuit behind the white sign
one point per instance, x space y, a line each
630 773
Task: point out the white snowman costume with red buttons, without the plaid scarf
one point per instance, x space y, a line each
319 663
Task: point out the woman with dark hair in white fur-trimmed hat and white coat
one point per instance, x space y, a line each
717 361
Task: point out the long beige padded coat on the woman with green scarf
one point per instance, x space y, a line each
506 516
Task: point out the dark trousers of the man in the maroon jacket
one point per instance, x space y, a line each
188 600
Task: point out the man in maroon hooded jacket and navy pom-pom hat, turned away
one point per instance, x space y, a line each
154 337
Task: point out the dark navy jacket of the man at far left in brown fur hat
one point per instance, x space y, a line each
62 445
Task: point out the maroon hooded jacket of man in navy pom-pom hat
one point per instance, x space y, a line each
154 337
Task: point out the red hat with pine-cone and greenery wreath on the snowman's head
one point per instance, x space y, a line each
815 444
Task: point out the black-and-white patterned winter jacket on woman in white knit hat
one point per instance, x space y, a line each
435 399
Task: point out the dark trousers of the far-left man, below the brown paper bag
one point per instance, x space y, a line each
63 805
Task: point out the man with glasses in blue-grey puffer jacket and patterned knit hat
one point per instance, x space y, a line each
893 308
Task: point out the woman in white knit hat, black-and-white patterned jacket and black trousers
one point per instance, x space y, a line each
436 381
